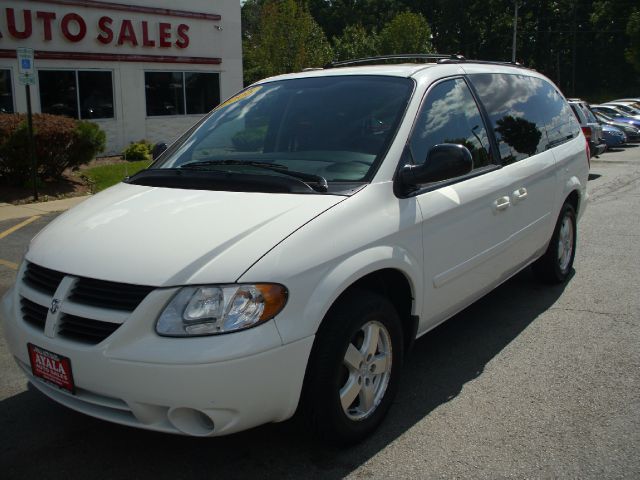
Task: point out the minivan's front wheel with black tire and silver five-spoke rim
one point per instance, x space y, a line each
353 372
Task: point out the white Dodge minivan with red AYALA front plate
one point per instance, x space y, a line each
287 250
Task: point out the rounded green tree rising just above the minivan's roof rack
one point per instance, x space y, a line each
406 33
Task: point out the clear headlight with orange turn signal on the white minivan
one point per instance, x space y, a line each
215 309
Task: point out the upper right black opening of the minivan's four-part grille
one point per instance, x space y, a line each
118 296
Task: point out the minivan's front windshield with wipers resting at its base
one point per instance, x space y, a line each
335 127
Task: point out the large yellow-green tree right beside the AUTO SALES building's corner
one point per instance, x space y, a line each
287 39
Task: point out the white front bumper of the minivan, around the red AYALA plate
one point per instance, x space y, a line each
205 386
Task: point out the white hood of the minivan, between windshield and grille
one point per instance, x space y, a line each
166 237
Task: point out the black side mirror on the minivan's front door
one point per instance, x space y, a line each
444 161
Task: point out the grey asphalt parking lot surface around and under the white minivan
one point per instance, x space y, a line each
531 381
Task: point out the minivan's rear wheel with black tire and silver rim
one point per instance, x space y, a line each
557 262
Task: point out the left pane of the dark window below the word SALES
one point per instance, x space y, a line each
165 93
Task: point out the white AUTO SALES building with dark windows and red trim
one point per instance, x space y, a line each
147 70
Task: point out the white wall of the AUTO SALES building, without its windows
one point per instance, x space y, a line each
214 46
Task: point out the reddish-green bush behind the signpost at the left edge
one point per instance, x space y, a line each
60 143
